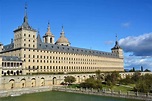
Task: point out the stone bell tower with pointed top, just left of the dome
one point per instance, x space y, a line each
48 37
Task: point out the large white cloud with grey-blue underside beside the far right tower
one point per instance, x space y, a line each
138 45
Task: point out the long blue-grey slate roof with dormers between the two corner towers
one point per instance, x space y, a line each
74 50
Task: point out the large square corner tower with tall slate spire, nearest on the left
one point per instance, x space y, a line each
25 35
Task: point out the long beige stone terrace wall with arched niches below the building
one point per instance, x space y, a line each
17 82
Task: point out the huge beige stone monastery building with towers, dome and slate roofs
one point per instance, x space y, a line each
28 54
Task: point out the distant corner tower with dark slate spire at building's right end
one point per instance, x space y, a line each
117 49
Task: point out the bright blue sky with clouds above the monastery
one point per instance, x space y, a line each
90 24
